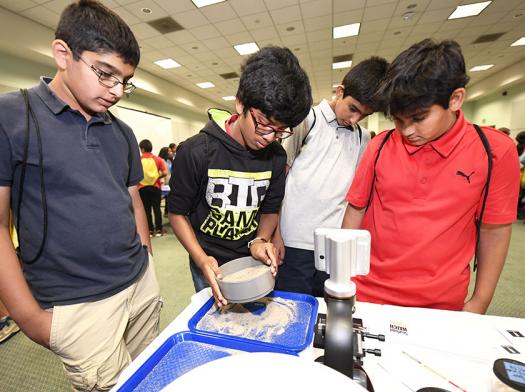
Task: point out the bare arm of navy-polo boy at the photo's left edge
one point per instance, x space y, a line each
14 290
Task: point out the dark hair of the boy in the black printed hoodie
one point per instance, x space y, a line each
273 82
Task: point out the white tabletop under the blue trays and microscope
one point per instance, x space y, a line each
458 345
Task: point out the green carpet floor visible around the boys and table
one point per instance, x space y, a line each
27 367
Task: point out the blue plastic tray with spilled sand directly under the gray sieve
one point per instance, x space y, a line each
292 333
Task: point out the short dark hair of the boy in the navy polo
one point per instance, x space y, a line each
89 25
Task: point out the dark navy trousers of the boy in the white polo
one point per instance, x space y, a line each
298 273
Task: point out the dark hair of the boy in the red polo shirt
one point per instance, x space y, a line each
425 74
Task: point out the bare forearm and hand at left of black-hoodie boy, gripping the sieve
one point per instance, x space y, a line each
208 265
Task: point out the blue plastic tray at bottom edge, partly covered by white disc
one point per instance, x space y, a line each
181 353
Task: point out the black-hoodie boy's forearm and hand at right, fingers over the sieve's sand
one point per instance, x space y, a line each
262 249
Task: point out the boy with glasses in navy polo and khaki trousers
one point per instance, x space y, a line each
86 287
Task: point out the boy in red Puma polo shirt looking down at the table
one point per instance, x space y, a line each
424 185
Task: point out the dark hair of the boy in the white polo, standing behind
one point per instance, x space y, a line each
362 81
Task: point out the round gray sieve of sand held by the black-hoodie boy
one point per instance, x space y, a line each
242 287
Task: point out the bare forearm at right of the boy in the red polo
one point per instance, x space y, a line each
493 246
